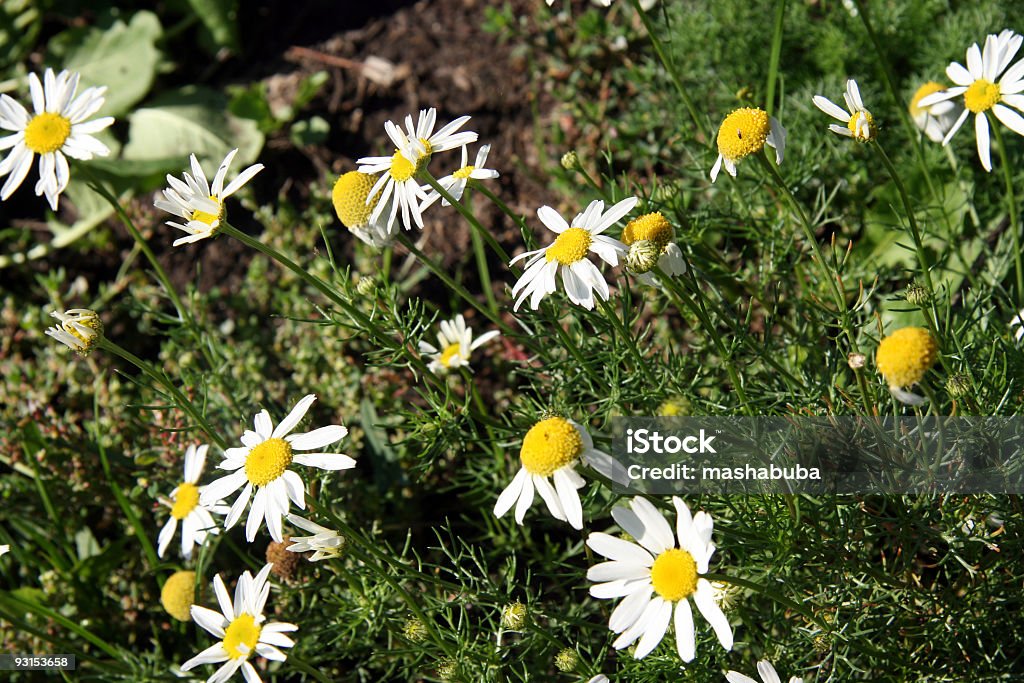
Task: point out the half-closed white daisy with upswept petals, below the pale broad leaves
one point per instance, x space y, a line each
200 204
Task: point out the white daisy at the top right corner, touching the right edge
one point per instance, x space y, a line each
986 92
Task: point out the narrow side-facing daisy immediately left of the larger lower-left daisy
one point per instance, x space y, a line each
196 520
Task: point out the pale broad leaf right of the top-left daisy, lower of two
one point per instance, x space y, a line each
193 120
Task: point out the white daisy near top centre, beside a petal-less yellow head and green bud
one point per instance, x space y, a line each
570 250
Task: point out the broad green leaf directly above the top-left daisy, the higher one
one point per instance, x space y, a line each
122 57
